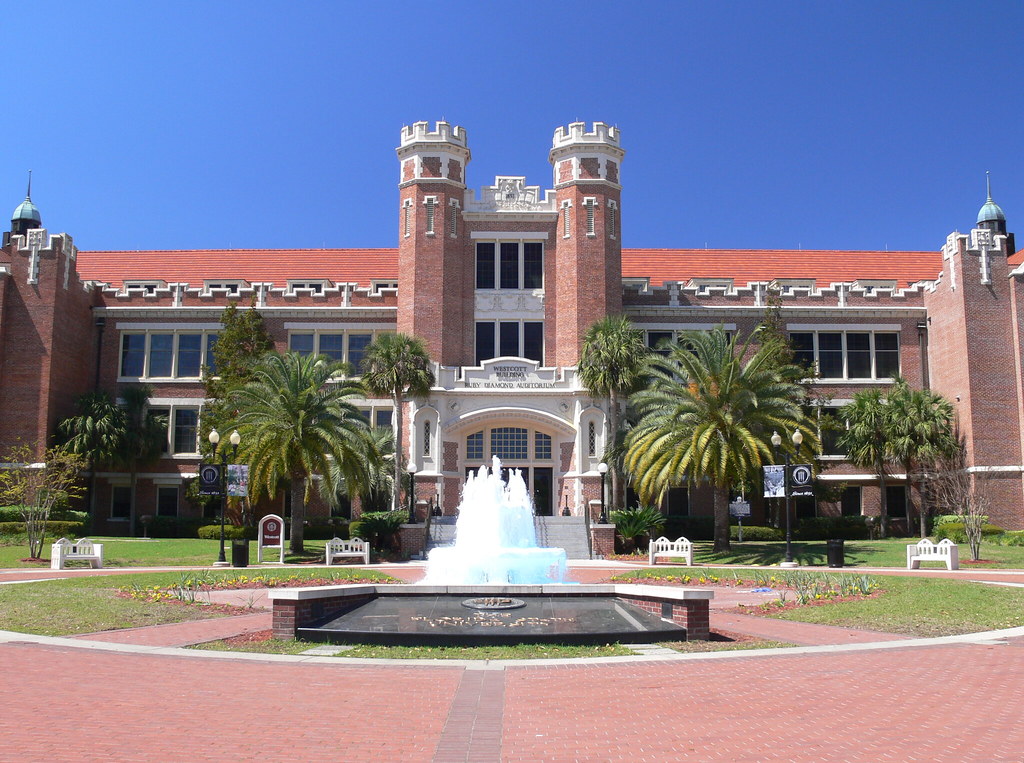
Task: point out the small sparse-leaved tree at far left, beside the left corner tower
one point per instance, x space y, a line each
37 488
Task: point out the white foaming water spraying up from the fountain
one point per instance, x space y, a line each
495 537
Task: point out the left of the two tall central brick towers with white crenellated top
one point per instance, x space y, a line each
436 280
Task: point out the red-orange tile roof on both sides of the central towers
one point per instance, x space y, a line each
362 266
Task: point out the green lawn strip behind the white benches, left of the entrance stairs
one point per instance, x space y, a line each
137 553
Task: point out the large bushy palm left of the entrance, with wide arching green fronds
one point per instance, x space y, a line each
297 420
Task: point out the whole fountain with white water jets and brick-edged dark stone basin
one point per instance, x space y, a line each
495 585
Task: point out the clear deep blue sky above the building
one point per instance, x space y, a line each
187 125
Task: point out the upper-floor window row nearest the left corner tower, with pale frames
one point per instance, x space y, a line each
167 355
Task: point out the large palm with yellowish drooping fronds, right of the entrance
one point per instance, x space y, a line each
709 415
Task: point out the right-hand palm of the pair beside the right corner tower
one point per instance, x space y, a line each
922 434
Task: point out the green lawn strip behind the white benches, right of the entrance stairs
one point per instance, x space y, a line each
889 554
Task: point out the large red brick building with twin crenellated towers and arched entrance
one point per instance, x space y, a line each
501 284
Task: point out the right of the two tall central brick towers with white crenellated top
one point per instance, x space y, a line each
589 274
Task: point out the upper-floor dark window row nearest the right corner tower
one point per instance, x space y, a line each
849 355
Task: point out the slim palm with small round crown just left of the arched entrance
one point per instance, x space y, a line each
398 366
